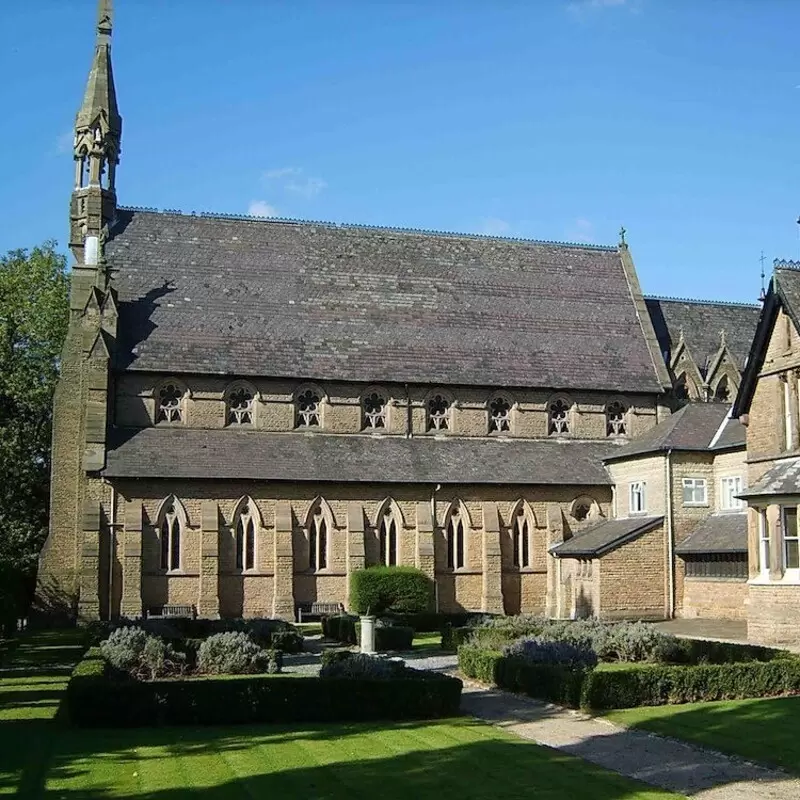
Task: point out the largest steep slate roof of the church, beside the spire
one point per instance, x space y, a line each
242 296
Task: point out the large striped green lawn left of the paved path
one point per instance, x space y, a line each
450 760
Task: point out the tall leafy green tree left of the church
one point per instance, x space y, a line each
34 313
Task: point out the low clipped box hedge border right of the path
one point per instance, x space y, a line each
631 685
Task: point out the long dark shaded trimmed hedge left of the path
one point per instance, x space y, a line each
96 697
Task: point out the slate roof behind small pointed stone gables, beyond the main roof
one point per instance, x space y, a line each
701 322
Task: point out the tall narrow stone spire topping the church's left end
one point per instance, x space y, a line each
98 133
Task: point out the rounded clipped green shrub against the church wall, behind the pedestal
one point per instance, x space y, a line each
399 589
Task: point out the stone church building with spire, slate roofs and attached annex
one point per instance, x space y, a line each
251 409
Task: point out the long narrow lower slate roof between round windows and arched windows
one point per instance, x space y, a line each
259 455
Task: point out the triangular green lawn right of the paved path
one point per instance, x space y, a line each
766 730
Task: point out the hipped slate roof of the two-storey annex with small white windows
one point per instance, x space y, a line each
690 428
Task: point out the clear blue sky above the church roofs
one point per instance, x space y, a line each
554 119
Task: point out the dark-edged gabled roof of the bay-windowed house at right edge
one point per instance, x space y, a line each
784 292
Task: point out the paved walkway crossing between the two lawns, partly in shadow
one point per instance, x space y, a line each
676 766
